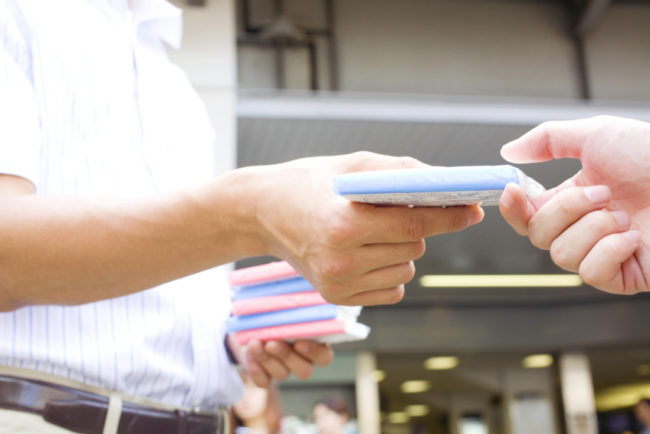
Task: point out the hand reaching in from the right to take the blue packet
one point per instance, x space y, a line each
596 223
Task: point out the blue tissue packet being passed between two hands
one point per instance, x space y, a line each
436 186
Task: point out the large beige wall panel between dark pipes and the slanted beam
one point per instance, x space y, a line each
460 47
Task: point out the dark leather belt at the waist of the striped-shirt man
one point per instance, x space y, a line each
85 412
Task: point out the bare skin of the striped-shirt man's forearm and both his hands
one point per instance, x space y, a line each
64 250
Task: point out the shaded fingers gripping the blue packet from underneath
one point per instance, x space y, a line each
348 274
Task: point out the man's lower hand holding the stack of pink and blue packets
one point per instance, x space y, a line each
276 360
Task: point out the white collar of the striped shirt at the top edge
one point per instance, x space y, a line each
161 17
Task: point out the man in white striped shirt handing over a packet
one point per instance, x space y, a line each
113 225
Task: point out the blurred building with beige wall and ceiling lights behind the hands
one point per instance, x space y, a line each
448 82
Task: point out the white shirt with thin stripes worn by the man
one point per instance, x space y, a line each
90 105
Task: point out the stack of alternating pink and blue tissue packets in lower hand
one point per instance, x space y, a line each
273 302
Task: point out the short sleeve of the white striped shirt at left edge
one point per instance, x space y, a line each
20 132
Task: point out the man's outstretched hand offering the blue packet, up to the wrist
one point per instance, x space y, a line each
354 254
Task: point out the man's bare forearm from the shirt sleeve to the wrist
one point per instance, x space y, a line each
66 250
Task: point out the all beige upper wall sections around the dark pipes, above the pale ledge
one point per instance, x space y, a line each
510 48
